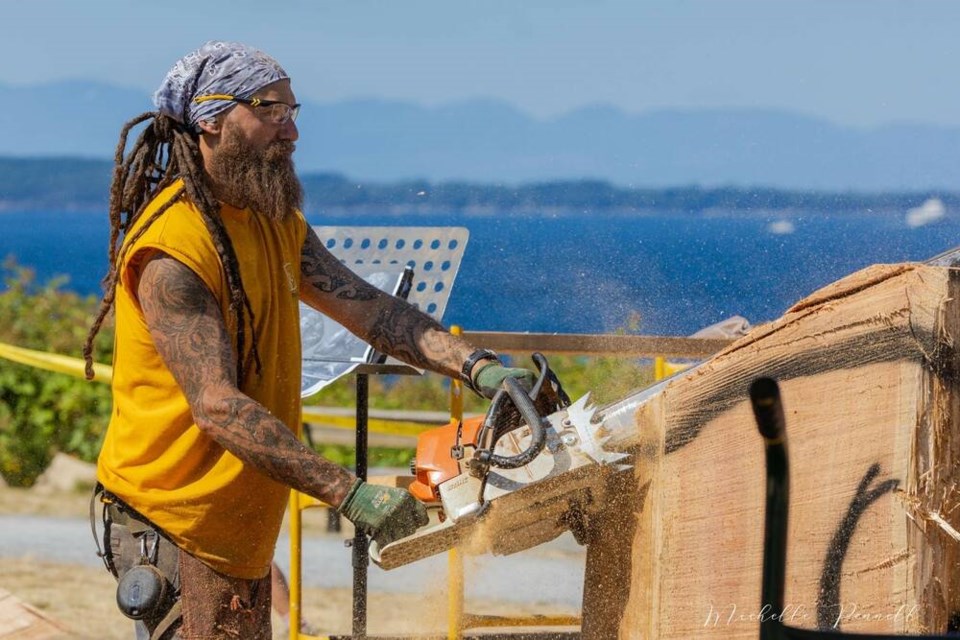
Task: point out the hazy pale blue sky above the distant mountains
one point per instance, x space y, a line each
861 63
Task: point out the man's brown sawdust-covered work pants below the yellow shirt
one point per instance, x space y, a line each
213 606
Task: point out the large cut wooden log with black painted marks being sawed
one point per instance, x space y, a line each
868 371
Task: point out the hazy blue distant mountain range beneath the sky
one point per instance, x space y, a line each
490 142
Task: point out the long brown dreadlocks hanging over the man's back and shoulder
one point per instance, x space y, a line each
165 151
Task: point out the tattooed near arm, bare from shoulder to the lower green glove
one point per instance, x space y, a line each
189 332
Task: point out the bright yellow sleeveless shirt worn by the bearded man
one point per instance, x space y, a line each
154 456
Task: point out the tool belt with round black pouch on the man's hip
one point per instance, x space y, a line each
142 559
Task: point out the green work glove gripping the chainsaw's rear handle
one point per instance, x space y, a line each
384 513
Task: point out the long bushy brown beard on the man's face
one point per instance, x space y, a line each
262 179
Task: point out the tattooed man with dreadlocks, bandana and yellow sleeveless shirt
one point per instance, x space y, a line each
209 256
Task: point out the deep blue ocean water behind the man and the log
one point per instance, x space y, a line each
584 274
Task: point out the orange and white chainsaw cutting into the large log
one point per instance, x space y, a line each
534 466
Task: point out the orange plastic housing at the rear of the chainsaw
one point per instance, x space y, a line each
434 463
